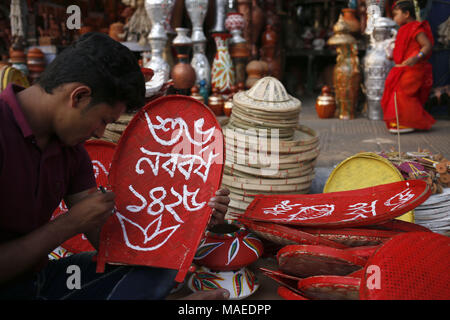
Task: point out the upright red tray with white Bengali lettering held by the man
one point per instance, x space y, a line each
167 165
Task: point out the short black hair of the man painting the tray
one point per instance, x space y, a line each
109 68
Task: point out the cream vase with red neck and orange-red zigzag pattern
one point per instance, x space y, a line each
222 73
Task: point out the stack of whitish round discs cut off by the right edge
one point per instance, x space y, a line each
434 213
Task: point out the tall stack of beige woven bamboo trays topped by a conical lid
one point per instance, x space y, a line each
267 151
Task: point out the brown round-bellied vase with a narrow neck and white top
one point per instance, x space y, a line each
183 74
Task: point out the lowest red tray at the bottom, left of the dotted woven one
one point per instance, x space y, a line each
330 288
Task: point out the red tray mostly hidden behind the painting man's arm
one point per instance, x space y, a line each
101 154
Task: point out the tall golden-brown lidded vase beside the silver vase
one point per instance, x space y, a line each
346 75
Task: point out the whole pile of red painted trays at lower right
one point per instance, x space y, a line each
327 253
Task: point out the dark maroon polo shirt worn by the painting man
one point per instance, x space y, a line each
33 181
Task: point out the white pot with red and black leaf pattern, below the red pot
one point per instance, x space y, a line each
240 283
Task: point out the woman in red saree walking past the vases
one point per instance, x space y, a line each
409 82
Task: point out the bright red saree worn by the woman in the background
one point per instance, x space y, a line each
412 84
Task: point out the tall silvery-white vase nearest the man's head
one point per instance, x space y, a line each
158 12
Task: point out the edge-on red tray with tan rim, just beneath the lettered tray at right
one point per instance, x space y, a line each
353 237
